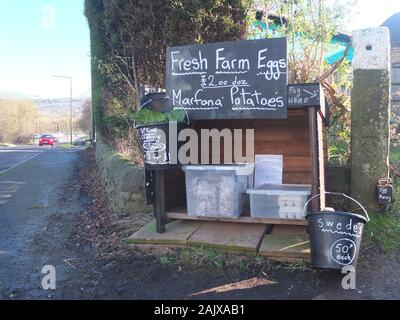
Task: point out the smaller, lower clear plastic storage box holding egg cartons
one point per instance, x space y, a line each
279 201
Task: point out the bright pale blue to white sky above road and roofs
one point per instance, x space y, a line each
41 38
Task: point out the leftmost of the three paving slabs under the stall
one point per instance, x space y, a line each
177 233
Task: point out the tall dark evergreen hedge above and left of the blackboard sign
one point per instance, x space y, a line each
129 42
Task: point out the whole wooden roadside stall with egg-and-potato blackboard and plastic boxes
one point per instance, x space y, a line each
235 86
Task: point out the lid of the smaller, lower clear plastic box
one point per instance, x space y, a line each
282 190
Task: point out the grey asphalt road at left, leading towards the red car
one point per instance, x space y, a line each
38 201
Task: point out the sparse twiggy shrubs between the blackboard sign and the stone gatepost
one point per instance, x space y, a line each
310 26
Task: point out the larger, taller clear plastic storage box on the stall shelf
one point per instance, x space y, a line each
218 191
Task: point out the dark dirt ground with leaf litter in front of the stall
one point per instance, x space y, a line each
201 274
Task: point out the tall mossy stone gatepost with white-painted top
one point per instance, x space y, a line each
370 113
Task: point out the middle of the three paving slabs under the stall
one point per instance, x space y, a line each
229 236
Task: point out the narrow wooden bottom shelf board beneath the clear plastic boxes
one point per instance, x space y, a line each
180 215
